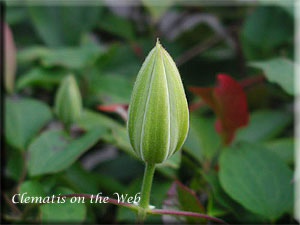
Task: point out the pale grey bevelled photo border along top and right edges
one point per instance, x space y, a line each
222 3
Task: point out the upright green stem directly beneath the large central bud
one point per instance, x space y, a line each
146 190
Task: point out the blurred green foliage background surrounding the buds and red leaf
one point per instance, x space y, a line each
103 46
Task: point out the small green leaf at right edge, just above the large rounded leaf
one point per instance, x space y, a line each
283 147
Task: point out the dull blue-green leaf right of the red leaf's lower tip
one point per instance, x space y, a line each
264 125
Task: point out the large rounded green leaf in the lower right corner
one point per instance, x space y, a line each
257 178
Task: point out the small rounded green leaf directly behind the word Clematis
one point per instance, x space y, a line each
32 188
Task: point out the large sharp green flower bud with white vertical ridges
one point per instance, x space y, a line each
158 119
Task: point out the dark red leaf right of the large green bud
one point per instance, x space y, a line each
228 100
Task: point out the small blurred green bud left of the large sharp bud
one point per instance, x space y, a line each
68 103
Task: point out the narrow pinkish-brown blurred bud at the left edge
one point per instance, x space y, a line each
9 59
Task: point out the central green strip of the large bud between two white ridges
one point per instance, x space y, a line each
155 132
